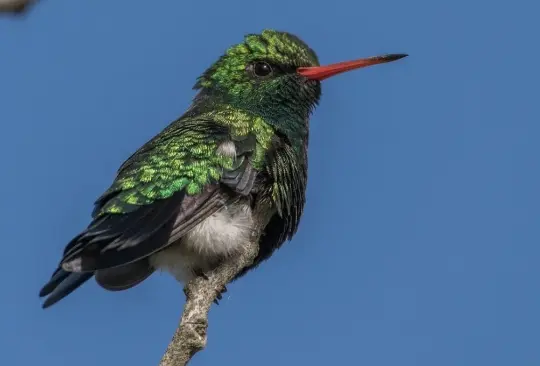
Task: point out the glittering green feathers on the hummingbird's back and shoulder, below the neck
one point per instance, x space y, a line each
184 156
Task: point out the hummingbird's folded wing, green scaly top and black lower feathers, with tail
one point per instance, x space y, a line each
162 191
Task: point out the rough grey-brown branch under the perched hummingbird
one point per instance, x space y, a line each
190 336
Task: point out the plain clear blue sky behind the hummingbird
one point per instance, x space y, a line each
420 241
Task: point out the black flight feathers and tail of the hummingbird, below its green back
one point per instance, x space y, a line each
115 247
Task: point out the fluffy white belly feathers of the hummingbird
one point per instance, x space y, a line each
218 236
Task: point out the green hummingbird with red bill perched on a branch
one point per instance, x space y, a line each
185 201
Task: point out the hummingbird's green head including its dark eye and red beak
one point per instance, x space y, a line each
274 75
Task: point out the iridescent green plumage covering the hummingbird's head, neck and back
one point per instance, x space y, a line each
184 155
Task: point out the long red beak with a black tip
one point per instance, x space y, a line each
324 72
